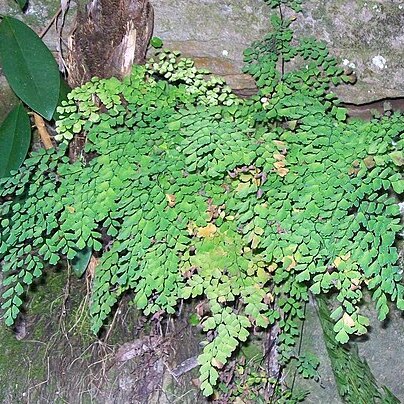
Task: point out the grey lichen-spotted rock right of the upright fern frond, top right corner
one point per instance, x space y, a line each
367 36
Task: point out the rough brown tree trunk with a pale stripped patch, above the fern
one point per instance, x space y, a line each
109 37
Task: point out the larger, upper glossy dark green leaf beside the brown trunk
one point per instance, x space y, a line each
29 67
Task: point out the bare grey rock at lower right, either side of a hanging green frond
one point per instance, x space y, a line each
381 348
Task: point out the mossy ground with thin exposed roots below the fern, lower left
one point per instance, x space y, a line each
52 357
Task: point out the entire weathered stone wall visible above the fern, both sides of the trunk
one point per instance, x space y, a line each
366 35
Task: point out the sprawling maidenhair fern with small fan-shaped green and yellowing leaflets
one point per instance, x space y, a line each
186 191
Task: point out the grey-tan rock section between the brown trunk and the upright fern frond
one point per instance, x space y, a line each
214 33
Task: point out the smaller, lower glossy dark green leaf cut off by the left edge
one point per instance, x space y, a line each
15 138
